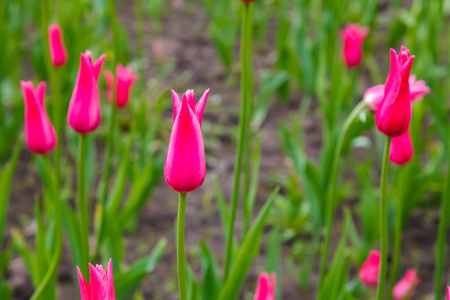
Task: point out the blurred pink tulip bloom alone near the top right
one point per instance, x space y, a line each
353 37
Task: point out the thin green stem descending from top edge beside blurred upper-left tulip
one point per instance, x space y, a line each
55 87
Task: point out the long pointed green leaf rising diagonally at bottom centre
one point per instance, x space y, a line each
246 253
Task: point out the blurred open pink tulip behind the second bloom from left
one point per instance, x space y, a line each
125 79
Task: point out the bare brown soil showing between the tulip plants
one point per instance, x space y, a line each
197 60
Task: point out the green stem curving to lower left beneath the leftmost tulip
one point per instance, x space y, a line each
58 246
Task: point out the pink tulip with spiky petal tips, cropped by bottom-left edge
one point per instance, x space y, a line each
102 283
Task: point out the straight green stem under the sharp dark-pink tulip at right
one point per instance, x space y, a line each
383 221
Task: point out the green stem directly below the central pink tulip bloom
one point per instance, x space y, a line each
180 246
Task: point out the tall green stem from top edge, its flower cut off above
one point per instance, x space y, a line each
241 141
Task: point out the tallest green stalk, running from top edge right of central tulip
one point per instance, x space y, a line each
244 125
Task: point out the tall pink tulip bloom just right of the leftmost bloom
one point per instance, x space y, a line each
84 110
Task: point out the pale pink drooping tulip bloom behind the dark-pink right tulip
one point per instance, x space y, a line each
374 95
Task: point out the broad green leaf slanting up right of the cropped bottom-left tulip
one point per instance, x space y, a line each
126 282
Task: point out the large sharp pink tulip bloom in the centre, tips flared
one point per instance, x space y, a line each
185 166
